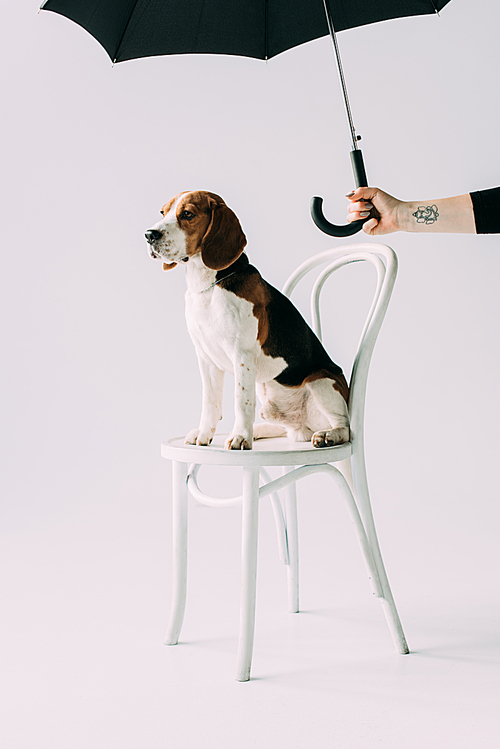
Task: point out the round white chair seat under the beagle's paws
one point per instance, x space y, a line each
275 451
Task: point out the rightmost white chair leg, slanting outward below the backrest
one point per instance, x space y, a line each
388 604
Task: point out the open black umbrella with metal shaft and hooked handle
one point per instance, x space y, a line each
128 29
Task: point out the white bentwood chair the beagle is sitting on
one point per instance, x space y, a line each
350 479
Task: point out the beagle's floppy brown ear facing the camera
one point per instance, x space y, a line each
224 240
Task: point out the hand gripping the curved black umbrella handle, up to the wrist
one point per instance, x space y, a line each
386 213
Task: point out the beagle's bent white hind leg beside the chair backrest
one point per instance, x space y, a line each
334 408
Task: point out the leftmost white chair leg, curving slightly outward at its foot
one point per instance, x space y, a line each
179 506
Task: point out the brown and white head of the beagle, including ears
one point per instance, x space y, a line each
194 222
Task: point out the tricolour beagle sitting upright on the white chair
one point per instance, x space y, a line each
241 324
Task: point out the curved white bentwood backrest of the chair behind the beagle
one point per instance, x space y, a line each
386 264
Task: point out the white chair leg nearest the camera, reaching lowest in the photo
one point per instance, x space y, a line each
250 519
